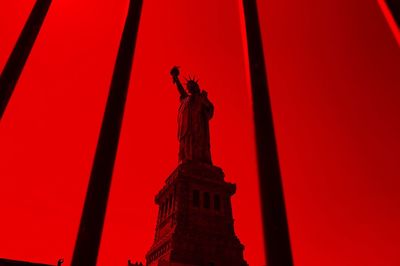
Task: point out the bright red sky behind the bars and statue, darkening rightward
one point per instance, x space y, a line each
333 74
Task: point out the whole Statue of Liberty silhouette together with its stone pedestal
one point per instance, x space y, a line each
195 222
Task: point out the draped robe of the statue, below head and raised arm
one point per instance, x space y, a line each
195 111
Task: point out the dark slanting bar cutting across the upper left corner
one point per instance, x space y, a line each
16 62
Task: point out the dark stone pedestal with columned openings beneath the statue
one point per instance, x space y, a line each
195 223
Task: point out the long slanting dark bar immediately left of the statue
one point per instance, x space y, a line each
94 210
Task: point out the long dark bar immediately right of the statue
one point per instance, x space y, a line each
276 232
